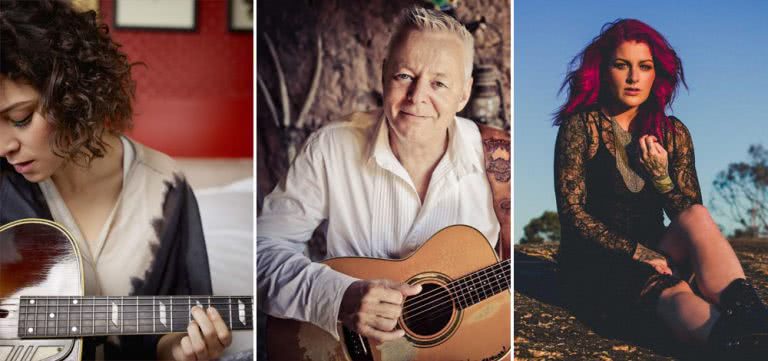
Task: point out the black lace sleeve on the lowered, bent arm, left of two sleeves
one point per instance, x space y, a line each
571 152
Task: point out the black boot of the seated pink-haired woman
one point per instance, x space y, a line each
741 332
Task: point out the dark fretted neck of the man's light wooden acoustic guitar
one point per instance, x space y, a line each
480 285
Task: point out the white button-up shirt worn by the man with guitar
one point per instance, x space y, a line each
347 173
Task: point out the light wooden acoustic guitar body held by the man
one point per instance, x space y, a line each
478 332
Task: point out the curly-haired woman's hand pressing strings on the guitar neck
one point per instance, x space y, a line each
206 338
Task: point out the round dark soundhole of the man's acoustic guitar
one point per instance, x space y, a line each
428 312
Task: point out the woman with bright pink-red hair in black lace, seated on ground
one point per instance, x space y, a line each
620 162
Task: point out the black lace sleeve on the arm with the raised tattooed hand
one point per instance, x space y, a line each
682 170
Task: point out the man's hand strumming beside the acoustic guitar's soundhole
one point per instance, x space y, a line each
371 308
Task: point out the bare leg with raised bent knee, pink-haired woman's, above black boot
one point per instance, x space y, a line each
694 238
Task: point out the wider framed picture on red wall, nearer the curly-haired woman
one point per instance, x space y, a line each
174 15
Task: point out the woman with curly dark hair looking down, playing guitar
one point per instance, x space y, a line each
65 103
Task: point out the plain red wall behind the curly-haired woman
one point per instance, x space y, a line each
194 97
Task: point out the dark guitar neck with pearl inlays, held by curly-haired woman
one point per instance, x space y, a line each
81 316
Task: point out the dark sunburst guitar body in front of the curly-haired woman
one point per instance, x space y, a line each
37 257
